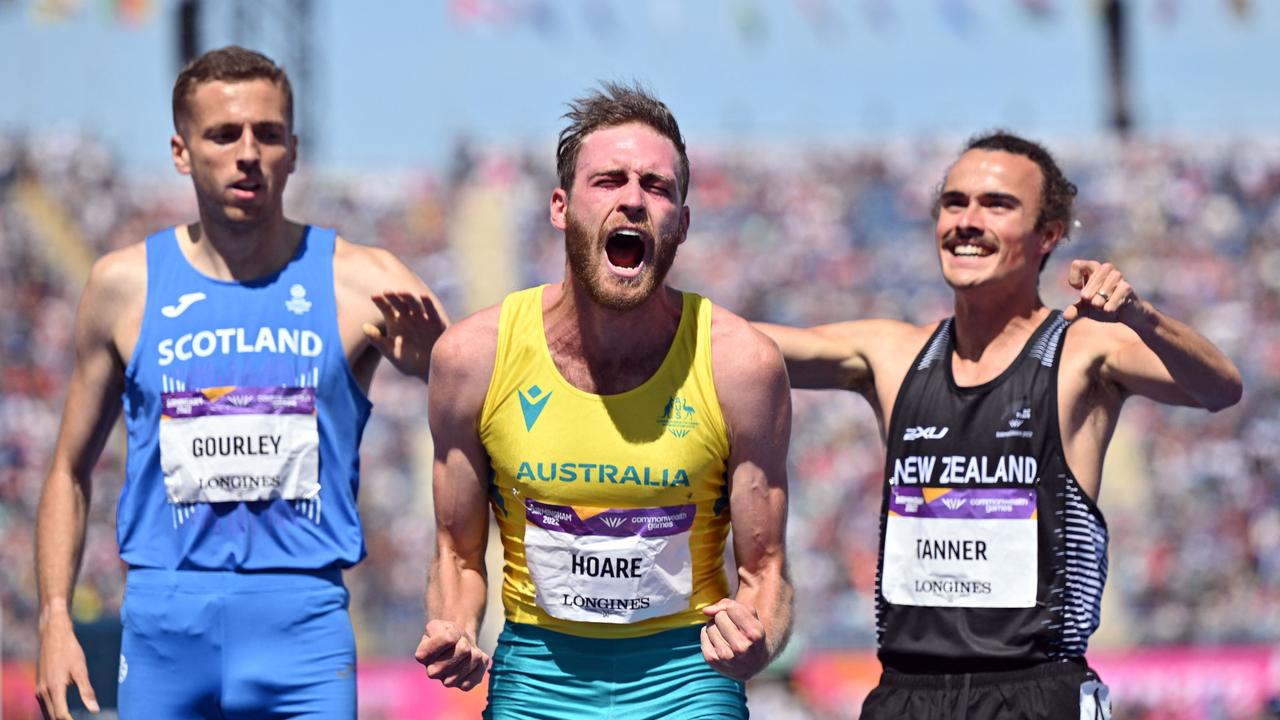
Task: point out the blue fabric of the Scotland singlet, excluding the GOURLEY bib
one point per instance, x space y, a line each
207 343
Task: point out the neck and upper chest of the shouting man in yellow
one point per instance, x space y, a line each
609 352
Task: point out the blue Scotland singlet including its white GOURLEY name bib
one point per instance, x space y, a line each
244 421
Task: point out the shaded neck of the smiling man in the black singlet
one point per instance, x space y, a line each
985 318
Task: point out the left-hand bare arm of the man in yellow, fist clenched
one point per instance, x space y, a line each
458 580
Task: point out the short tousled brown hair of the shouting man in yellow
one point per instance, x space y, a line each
616 104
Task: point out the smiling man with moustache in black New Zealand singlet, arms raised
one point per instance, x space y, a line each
996 422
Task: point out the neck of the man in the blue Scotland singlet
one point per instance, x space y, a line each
231 252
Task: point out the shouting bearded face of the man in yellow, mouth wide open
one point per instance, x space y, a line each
625 217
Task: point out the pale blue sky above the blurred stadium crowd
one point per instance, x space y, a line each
394 85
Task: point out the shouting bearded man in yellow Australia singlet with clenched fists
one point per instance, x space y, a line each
619 429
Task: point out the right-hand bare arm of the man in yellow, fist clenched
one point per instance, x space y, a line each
749 631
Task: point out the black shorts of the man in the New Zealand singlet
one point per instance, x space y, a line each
1055 691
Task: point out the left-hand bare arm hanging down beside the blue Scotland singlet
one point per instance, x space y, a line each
113 293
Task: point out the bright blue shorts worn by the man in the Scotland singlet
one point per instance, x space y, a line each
236 645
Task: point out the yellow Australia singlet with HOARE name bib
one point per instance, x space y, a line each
614 509
